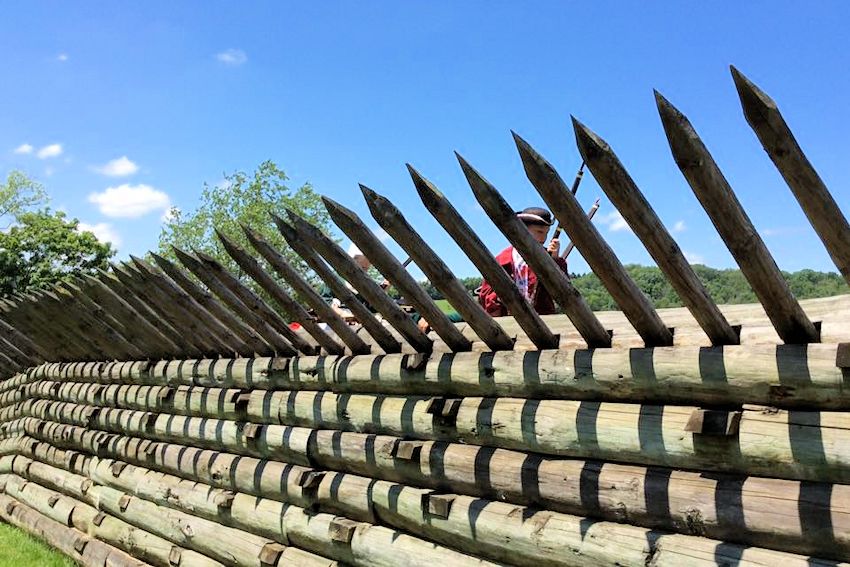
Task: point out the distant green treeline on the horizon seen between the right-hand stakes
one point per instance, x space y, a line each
725 286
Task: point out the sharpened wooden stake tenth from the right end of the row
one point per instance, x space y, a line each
383 337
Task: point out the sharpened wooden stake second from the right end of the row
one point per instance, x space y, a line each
735 227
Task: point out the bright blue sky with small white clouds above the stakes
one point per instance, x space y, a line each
122 109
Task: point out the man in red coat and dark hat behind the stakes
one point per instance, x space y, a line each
538 221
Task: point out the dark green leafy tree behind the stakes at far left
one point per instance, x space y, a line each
44 247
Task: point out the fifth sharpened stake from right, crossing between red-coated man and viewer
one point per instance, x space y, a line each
549 273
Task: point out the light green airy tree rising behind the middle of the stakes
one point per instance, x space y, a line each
242 199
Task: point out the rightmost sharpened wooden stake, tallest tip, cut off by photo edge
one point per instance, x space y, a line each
811 192
